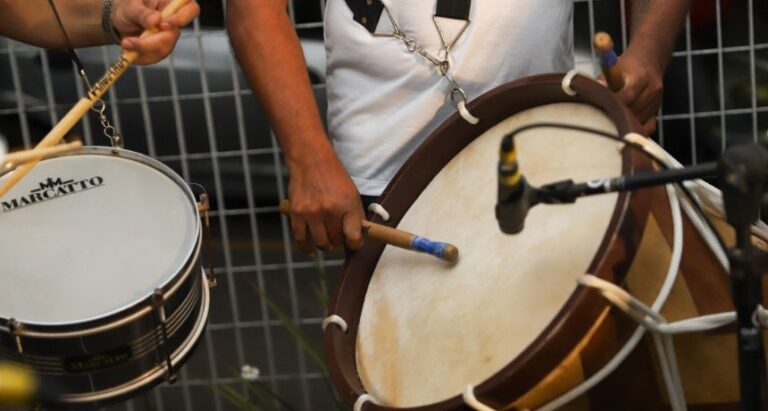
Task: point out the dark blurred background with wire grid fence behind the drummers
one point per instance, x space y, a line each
195 112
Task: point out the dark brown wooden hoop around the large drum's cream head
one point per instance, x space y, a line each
350 292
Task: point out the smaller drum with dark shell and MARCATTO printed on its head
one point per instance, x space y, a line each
103 293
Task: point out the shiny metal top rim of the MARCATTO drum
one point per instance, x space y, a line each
141 306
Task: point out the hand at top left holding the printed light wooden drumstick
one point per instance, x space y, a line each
132 17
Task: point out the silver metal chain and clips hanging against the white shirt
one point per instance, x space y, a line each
455 92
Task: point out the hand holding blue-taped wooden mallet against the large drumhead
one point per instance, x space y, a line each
326 210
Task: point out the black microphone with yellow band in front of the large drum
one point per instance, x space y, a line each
515 195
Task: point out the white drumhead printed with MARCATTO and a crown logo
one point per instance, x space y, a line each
108 232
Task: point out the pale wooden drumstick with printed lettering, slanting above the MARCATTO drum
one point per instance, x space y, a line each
91 96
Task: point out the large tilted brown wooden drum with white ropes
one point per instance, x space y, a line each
509 320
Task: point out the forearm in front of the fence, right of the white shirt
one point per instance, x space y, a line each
655 27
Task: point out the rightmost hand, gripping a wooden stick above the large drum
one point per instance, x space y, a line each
643 88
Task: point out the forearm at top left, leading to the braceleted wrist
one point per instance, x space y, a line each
33 22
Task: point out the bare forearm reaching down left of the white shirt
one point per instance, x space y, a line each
270 54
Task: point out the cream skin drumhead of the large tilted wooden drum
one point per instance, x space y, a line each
427 329
